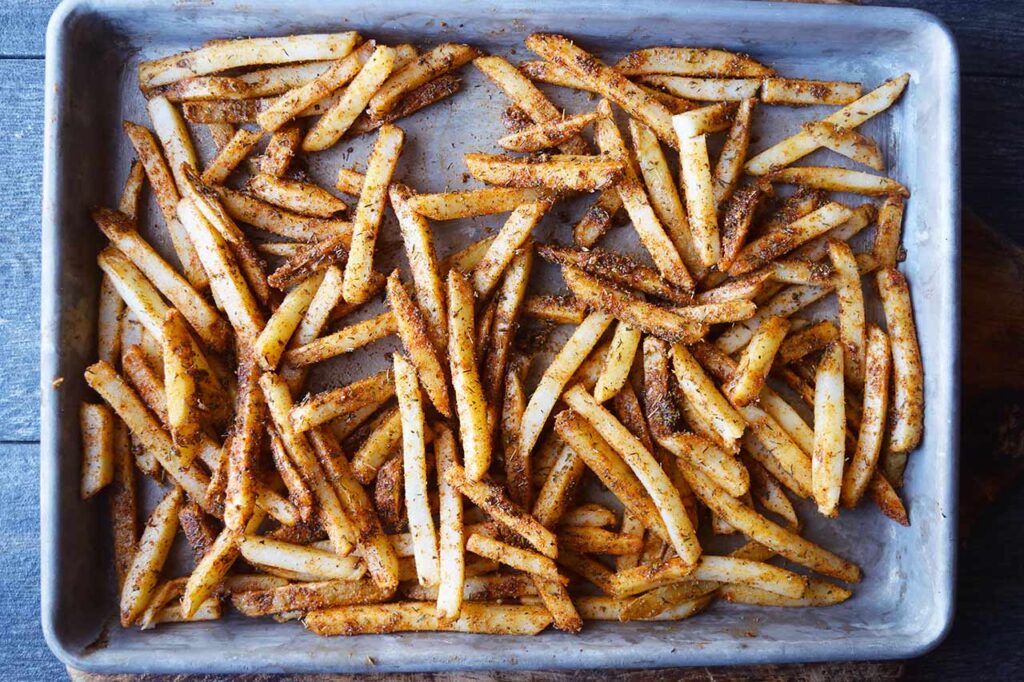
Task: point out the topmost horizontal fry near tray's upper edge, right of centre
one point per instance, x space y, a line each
691 62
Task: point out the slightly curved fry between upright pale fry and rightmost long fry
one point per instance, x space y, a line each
873 424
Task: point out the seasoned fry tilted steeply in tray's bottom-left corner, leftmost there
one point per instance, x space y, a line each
154 547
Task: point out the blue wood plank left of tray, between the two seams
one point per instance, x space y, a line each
21 168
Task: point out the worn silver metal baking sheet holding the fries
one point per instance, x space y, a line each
905 605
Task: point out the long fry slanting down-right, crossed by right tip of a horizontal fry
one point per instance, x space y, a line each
637 205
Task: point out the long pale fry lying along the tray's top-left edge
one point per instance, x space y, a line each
223 56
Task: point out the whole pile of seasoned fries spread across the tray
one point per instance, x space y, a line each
447 493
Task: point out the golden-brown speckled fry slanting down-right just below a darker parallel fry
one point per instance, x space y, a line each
613 303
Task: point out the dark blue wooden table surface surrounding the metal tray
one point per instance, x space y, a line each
990 627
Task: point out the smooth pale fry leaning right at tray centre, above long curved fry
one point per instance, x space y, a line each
558 376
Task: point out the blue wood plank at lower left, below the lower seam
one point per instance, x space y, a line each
24 655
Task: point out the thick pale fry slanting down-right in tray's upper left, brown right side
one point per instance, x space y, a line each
227 281
